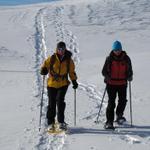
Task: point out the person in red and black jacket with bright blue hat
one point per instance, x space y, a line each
117 70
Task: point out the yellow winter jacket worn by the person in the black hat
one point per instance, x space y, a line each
61 69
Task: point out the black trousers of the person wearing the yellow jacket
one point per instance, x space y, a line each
56 101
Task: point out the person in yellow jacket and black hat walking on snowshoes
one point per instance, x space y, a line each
58 67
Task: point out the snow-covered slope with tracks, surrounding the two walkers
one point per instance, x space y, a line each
30 33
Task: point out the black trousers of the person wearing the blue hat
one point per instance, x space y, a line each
113 91
